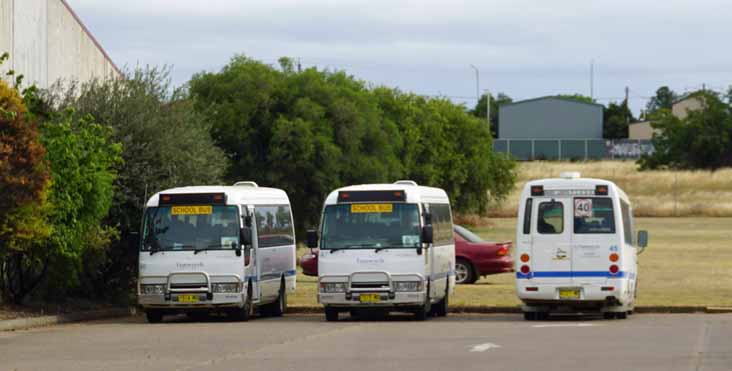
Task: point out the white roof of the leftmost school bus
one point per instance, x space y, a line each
246 193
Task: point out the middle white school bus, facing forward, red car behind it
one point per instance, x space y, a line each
385 247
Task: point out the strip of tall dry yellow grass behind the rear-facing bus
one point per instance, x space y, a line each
653 193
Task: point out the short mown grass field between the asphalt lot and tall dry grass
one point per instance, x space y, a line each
688 263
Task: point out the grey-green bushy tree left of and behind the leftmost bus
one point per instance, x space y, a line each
165 142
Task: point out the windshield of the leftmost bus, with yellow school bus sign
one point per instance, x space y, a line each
190 228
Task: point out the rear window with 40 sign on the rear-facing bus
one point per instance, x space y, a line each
594 215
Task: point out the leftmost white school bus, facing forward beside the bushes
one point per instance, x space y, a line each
216 249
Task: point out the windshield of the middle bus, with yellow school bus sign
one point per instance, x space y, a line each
354 226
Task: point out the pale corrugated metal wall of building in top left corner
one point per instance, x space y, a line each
47 43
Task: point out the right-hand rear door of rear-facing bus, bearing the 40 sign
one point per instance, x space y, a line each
594 239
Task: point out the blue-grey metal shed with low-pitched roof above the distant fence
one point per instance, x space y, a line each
550 118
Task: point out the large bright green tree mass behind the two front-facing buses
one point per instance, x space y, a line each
312 131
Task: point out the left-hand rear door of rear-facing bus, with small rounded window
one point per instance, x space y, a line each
551 256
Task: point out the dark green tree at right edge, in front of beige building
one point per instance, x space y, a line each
702 140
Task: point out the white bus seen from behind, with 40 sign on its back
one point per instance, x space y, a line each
576 248
